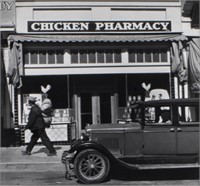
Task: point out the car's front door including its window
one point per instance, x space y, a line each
159 135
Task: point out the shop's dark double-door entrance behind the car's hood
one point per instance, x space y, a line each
95 108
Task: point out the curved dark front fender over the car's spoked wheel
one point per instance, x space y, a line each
83 145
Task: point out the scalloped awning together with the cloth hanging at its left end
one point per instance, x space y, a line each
16 61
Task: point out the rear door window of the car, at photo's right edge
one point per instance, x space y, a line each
188 115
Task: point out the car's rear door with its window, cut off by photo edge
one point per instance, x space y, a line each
188 130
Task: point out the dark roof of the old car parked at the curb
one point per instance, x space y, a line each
184 101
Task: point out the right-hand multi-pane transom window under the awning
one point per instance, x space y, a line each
148 55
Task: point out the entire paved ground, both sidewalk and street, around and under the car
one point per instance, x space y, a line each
40 169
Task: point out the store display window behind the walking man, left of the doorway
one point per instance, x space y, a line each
60 99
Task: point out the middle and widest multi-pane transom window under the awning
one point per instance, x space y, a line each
95 56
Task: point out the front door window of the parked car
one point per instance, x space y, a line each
158 115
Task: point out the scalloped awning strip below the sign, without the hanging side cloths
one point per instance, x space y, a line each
97 38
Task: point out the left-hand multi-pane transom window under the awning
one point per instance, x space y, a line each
35 57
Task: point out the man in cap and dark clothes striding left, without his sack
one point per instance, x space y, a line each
37 126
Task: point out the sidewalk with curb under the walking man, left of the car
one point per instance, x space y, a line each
13 160
